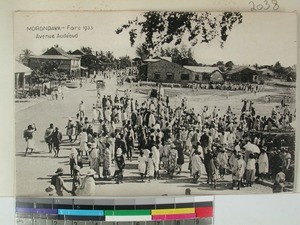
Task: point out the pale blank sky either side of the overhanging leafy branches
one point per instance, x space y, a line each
262 38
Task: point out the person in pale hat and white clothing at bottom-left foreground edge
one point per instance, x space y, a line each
88 186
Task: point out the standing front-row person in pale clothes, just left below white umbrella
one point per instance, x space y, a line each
238 171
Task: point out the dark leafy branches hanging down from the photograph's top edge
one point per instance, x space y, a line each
171 27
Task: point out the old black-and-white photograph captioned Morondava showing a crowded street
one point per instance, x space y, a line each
154 103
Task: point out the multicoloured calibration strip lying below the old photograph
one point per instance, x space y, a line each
74 209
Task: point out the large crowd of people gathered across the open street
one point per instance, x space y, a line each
212 143
